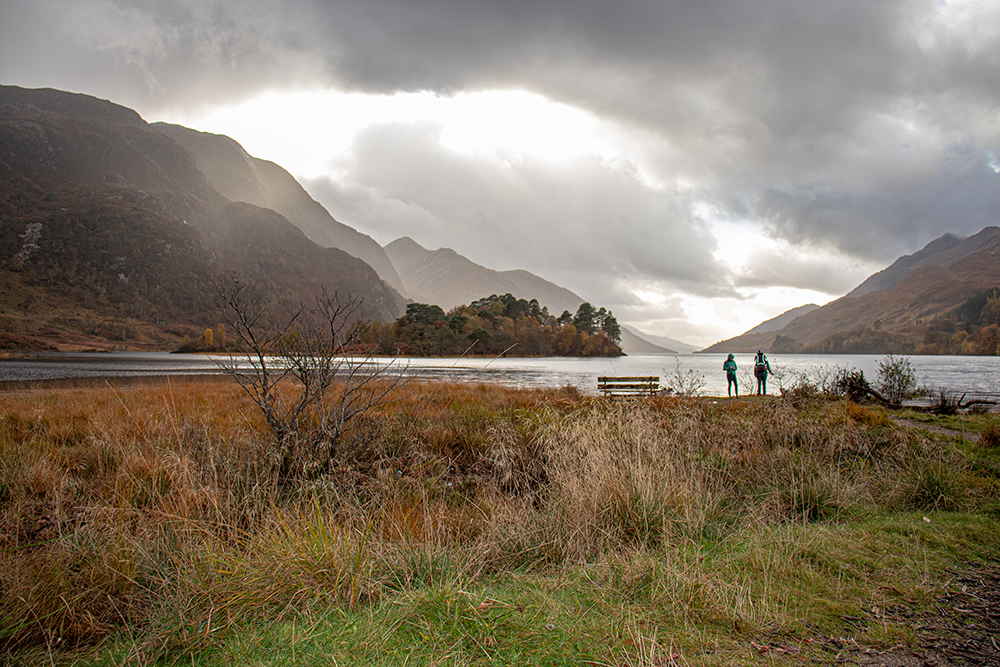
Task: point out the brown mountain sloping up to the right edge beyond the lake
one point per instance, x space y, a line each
910 301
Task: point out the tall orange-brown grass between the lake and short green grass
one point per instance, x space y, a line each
155 510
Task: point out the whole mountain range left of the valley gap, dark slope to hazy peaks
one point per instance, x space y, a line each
118 232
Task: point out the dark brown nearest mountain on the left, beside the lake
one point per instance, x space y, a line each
111 232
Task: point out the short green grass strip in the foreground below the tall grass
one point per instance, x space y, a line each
791 586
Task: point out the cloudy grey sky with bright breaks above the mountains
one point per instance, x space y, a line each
695 166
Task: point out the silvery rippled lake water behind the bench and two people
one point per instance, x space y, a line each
976 376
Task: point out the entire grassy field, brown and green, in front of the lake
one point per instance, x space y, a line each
142 523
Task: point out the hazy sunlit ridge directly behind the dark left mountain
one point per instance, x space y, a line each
241 177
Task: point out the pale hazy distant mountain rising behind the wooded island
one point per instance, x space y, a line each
444 278
